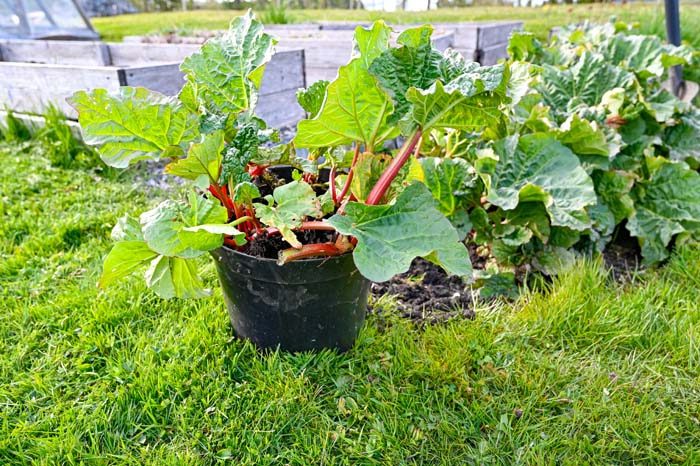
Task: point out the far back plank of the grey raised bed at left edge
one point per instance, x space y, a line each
58 52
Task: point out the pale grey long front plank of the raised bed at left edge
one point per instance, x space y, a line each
29 87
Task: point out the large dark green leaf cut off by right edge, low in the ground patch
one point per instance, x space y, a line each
667 205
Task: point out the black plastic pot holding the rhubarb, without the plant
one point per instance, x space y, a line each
304 305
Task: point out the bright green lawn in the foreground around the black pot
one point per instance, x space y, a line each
587 372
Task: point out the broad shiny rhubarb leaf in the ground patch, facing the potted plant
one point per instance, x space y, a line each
538 168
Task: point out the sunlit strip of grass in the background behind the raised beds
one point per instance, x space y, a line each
538 20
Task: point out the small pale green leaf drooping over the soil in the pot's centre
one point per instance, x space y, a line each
292 202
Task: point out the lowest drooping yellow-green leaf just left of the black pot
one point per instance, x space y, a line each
174 277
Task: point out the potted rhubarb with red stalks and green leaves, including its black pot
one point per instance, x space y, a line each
295 240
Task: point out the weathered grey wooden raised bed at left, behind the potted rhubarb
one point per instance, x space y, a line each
34 74
